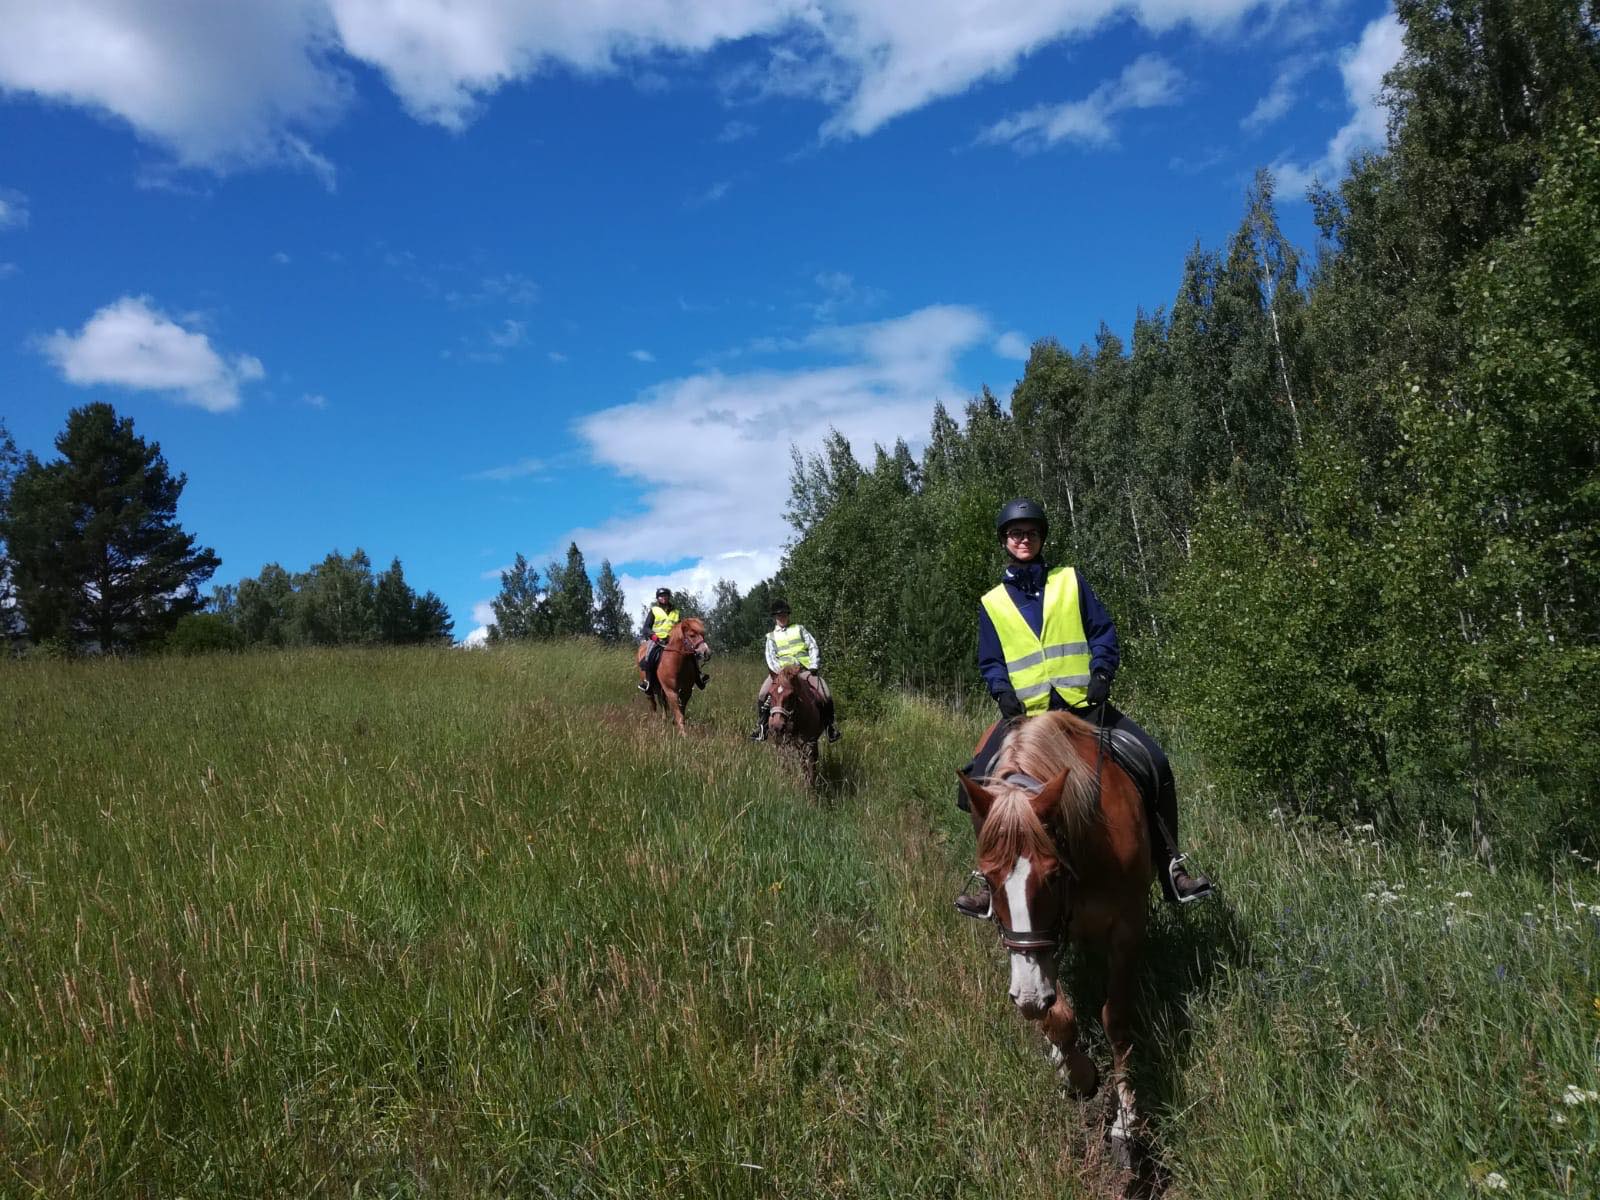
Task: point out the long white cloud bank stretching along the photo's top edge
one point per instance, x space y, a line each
230 84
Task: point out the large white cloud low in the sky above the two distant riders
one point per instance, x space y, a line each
876 383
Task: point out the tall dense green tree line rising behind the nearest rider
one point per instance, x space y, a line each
1345 508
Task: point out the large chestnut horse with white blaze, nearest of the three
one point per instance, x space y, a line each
1063 842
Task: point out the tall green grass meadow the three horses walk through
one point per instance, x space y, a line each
470 924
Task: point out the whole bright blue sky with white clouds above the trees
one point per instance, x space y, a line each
455 279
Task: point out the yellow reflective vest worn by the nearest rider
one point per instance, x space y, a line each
1058 657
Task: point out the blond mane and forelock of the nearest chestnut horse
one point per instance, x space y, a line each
1042 748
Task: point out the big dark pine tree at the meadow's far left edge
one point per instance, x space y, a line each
98 558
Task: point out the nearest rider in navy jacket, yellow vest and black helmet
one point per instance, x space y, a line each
1046 644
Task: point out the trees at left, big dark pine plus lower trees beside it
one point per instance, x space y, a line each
92 559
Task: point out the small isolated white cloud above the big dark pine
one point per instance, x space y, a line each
132 345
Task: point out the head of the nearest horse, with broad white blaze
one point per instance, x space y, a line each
1020 857
